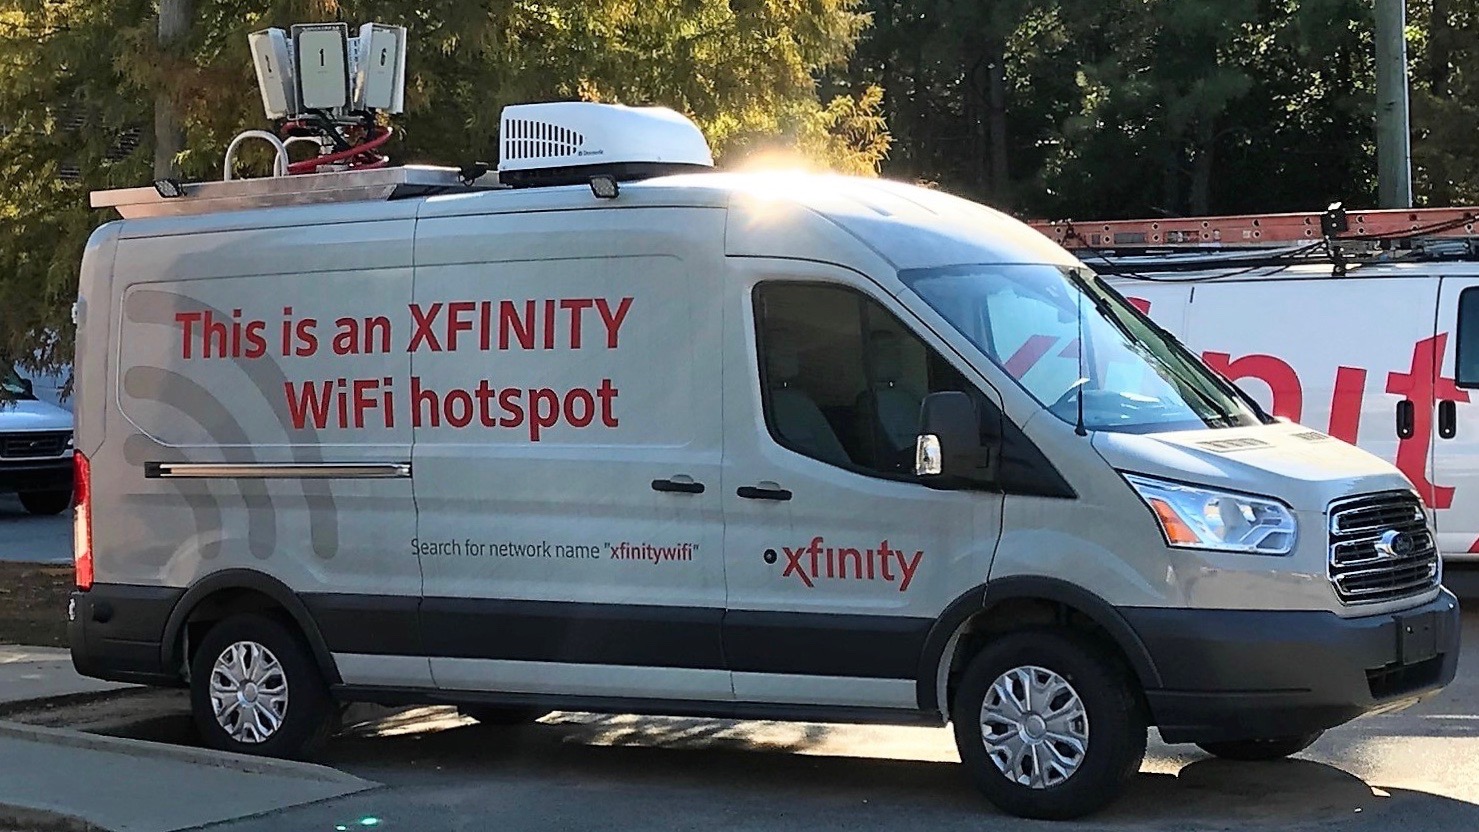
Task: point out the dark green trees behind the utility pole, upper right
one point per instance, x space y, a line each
1122 109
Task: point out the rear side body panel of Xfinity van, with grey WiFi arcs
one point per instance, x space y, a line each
257 426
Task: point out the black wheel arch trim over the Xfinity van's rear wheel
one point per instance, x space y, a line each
233 587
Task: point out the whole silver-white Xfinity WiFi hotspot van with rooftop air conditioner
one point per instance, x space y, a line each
706 444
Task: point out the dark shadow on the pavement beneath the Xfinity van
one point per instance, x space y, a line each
761 765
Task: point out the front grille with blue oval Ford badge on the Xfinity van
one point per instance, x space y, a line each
1382 549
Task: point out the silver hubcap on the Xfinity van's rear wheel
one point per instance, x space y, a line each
249 692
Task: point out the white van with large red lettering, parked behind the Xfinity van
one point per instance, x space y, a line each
1385 357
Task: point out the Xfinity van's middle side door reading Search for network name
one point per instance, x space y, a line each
566 401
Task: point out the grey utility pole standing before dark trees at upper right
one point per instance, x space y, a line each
1394 134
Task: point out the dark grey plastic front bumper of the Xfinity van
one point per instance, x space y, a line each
1252 675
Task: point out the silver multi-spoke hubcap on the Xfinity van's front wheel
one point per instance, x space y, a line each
1035 728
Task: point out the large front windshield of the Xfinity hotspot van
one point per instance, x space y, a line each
1030 320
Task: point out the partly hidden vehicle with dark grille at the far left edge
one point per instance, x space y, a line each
36 447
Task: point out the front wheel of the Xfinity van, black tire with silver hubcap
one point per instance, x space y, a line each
1110 734
